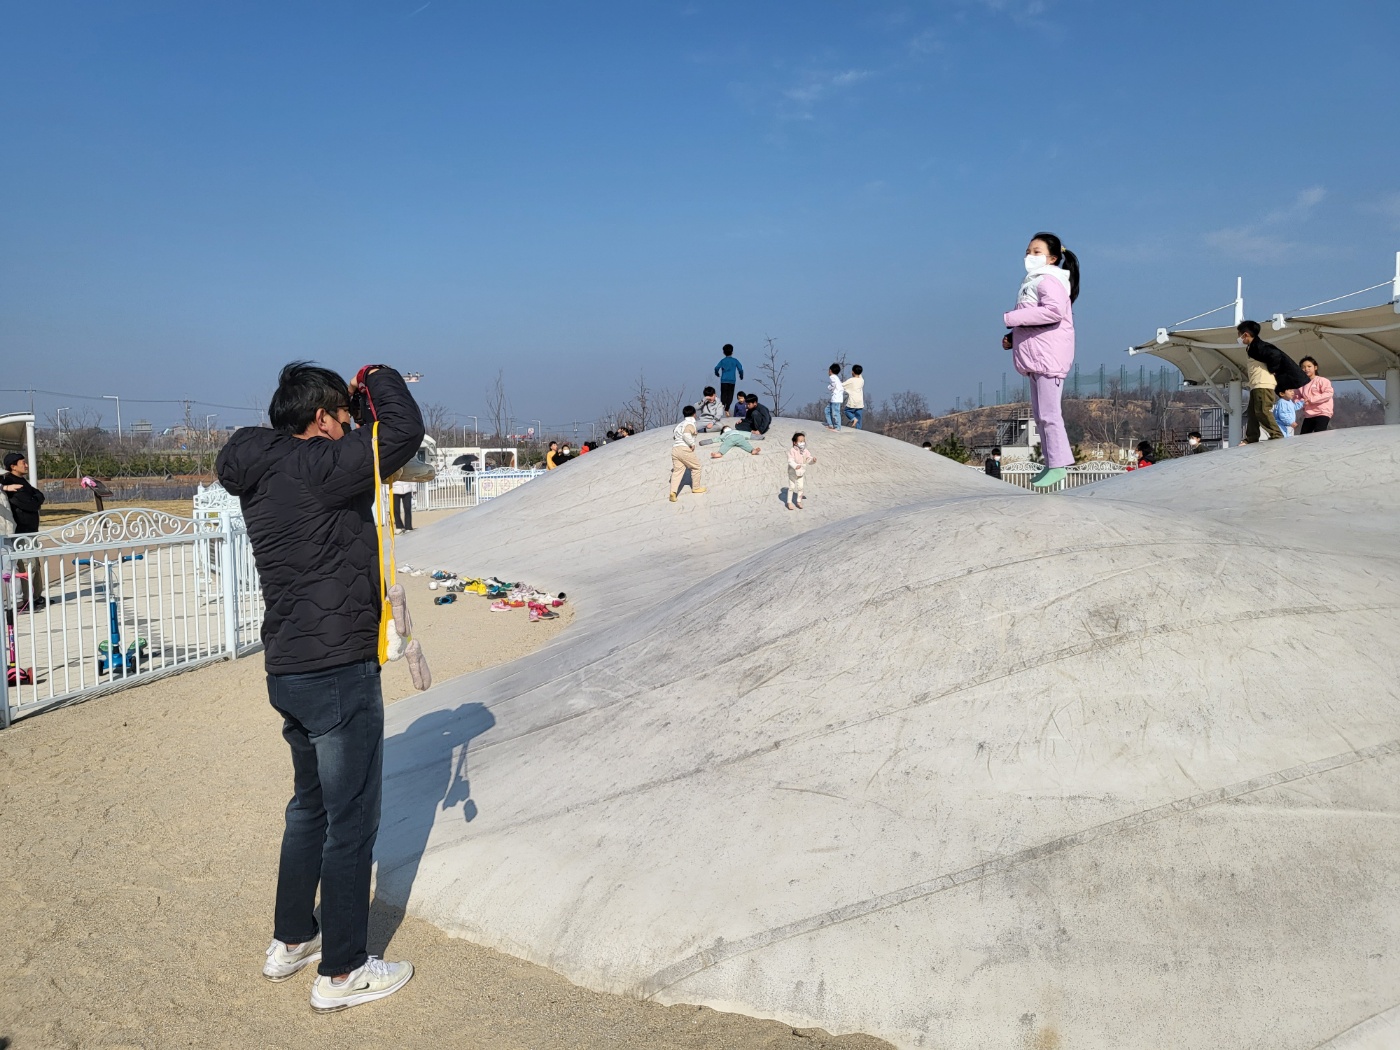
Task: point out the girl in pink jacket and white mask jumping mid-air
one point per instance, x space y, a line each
1042 344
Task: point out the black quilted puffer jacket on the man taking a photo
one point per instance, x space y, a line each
310 513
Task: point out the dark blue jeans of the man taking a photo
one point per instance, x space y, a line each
334 722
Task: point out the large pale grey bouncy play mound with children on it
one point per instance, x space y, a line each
940 761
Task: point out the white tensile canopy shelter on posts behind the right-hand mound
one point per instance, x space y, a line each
1361 345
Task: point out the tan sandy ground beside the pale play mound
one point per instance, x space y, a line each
141 839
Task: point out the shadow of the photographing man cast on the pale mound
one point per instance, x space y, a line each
425 778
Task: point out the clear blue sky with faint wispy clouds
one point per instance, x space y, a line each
573 192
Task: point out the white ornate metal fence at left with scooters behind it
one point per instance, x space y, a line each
120 598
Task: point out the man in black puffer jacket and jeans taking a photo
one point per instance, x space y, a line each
307 489
